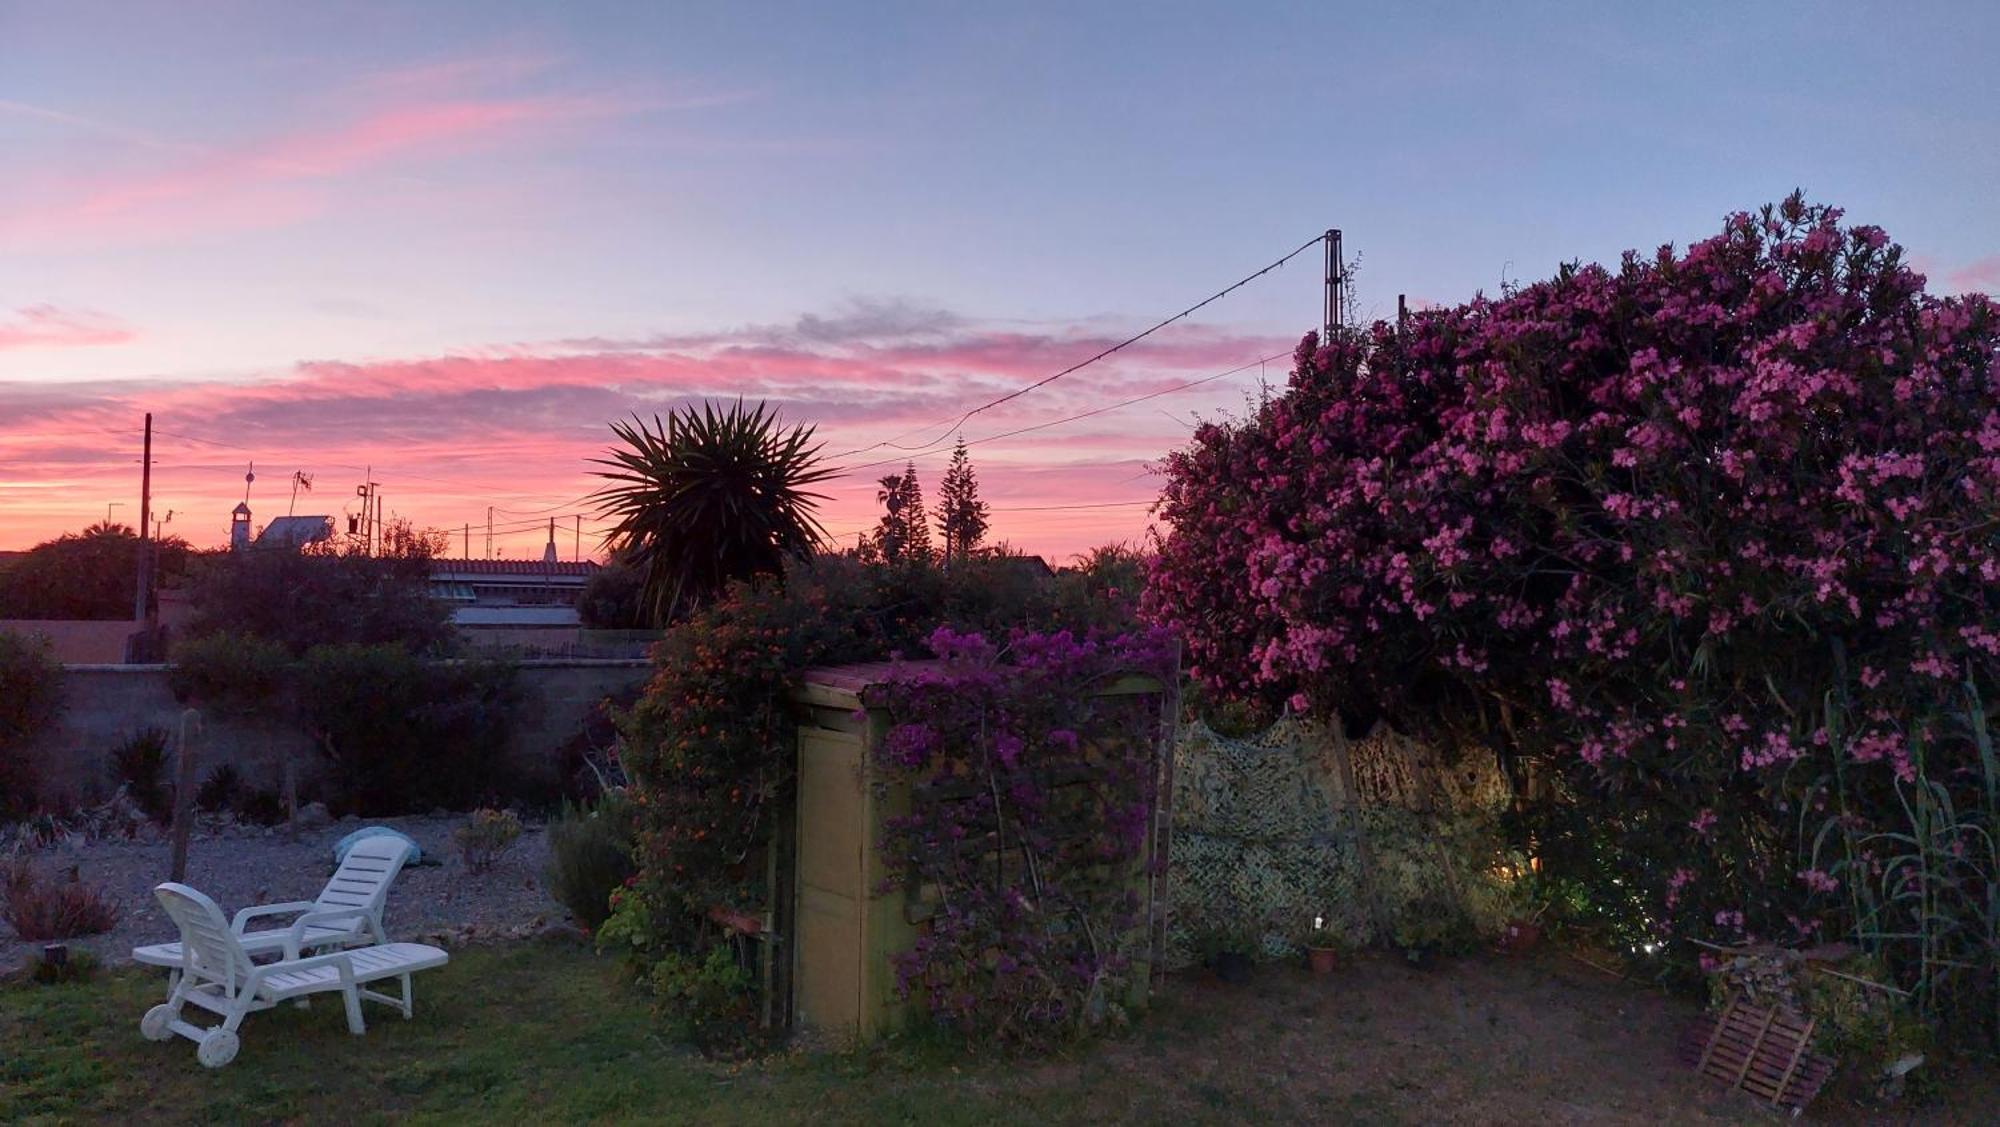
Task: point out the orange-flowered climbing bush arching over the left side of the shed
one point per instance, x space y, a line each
711 744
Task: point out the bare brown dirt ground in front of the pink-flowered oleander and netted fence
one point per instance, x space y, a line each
1491 1040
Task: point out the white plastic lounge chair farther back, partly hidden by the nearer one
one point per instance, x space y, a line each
349 910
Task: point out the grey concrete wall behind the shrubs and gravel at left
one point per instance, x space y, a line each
107 704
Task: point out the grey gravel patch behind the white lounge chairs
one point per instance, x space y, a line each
243 868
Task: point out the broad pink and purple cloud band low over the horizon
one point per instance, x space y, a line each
517 427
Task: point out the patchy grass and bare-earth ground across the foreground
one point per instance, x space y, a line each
551 1034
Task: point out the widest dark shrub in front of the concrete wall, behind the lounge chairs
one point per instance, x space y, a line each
407 734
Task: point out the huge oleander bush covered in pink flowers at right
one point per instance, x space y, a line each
1705 545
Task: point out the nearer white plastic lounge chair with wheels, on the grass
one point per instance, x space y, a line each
219 976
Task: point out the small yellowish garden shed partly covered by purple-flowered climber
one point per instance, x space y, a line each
853 912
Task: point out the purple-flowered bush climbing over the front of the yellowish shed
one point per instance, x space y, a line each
1031 806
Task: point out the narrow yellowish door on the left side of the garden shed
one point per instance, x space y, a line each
831 880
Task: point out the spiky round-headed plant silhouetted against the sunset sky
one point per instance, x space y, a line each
709 497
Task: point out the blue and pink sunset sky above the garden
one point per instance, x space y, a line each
453 241
